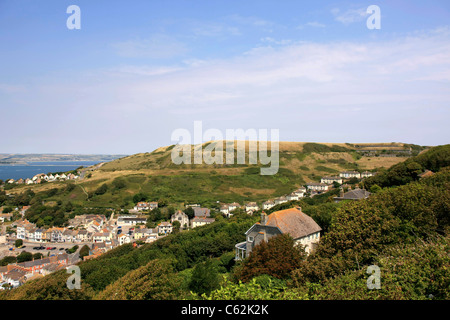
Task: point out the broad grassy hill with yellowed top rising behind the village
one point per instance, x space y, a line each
154 175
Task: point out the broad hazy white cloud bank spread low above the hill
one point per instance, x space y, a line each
310 91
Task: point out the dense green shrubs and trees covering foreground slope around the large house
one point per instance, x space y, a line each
403 229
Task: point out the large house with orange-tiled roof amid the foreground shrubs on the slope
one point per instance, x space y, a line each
301 227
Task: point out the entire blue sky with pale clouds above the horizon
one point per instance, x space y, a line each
138 70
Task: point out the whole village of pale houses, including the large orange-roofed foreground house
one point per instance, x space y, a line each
102 234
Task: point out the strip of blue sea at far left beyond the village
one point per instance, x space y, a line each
33 168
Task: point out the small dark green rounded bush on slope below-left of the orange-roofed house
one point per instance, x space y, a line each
205 278
